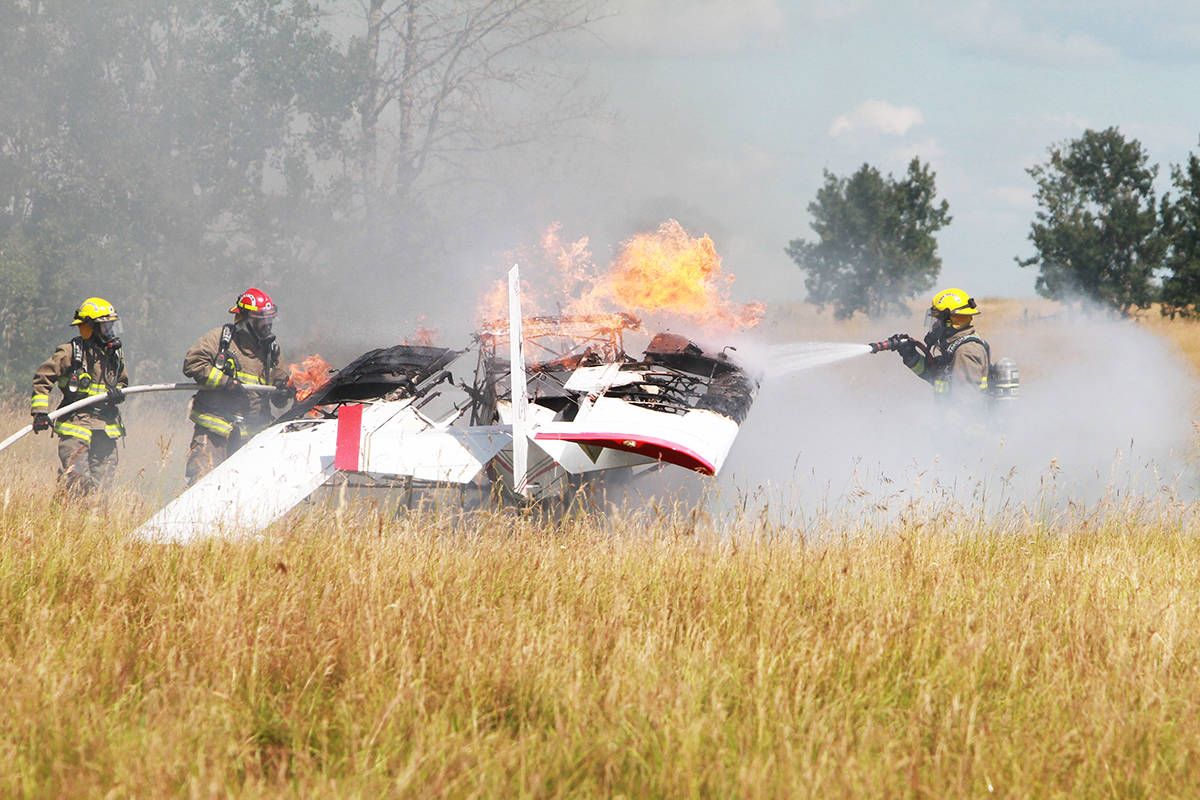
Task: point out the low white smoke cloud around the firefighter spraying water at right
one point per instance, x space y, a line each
1106 412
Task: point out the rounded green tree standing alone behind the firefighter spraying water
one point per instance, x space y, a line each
877 243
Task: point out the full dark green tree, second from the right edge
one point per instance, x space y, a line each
1096 231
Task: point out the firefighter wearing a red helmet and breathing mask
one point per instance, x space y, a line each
224 360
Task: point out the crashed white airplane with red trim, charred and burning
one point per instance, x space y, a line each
555 402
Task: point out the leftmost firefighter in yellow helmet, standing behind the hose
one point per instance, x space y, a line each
91 364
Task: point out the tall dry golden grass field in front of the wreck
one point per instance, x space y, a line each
650 653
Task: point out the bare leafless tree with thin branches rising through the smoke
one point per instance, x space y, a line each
441 71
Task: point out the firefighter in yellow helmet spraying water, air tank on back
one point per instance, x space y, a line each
959 360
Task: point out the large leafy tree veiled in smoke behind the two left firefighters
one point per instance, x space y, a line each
157 153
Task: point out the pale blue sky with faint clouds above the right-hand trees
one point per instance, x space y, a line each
731 110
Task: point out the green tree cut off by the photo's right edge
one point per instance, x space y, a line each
1181 226
